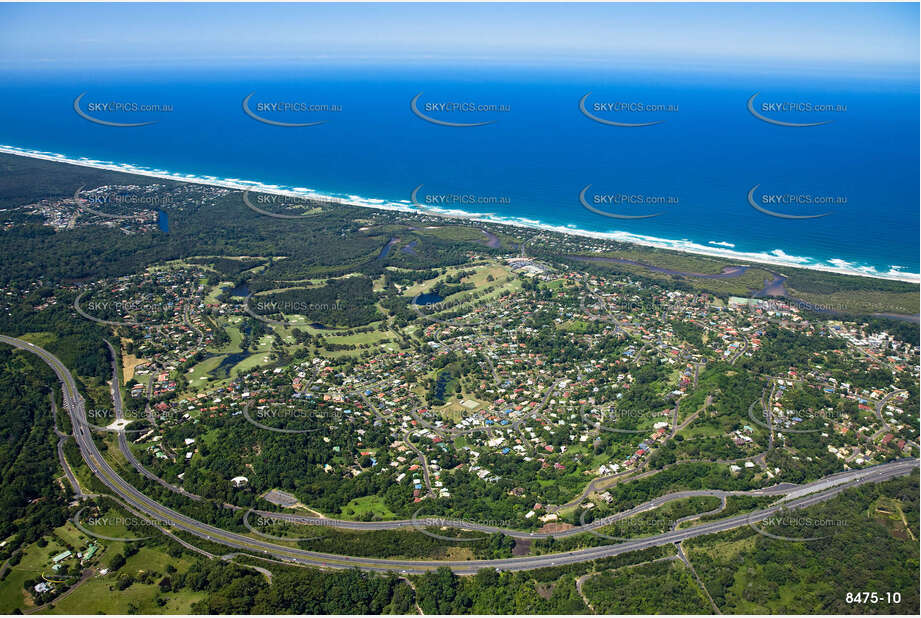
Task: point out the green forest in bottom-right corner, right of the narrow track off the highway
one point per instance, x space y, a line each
861 549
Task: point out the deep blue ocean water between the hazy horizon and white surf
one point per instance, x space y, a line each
533 160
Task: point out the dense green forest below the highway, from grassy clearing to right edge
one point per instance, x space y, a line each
743 571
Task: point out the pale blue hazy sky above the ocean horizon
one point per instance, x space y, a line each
61 34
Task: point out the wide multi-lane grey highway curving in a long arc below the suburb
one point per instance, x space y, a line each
162 515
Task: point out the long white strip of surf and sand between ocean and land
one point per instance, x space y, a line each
717 249
